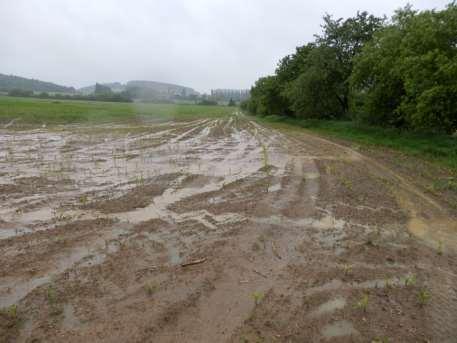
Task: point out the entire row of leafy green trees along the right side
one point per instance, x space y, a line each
400 72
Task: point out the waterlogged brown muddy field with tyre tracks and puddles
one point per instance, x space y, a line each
217 230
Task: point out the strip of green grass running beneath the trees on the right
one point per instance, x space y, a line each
438 148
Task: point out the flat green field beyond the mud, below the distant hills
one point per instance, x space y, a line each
48 111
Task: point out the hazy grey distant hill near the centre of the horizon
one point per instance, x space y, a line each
147 90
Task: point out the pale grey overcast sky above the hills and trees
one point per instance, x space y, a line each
203 44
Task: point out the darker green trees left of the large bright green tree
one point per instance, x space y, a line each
314 81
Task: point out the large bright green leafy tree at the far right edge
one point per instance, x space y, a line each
407 73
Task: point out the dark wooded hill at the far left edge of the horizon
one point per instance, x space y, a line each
10 82
